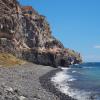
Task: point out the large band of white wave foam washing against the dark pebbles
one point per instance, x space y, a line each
59 81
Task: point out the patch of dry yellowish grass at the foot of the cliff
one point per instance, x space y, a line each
9 60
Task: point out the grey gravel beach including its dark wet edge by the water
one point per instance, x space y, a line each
28 82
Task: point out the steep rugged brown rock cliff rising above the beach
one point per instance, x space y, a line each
27 35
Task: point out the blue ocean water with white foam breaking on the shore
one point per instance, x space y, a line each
81 82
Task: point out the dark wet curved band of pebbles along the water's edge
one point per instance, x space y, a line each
46 83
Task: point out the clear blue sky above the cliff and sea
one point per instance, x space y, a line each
75 22
